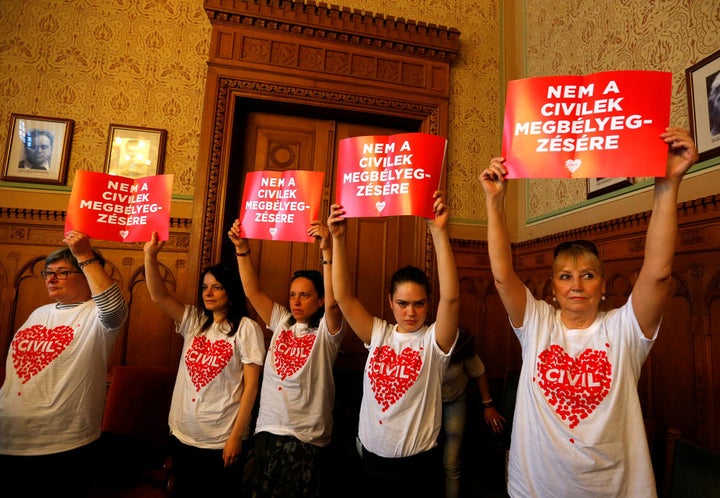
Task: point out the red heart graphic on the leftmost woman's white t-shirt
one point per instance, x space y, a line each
33 349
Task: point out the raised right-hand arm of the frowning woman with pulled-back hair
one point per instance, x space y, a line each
448 312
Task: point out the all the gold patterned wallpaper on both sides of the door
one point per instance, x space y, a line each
143 63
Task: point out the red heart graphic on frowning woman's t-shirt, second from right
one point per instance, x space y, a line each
391 375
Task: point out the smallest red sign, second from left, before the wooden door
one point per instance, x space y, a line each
279 205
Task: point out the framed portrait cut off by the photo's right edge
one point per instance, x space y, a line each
703 83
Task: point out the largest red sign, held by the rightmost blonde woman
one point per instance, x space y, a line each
600 125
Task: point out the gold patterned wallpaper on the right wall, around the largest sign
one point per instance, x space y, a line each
588 36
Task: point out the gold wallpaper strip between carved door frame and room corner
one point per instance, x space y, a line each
474 123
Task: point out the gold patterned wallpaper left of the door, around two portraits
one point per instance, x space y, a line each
138 63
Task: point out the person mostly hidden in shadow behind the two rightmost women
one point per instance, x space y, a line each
465 364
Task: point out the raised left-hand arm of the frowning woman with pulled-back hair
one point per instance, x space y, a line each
359 318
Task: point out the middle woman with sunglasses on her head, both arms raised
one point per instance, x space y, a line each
294 423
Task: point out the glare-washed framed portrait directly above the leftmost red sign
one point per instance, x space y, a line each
134 152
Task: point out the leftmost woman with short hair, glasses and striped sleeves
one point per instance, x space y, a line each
53 397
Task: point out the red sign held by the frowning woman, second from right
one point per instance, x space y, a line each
389 175
